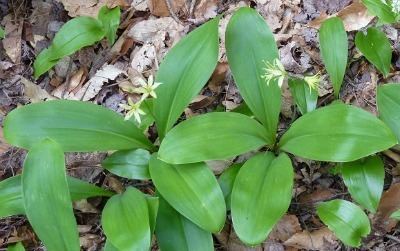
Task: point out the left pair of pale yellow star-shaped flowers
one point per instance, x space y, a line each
146 89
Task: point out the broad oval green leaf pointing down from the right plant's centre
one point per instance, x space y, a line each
261 195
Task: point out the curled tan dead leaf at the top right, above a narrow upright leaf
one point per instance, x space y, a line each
355 16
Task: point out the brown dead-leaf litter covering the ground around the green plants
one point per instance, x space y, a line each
148 30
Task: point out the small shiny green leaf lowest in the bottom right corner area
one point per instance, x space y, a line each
346 220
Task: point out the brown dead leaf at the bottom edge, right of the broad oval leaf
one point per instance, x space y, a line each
321 239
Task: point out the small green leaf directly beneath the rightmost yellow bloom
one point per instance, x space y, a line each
304 96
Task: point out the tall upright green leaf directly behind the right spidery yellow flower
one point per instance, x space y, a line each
250 43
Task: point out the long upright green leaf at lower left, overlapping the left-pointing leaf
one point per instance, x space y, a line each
46 197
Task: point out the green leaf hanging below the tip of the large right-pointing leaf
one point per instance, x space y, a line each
364 179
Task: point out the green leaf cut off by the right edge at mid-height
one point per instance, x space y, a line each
388 101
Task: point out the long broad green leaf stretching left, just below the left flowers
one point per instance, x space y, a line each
77 126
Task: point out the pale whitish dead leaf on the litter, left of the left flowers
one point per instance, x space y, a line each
93 86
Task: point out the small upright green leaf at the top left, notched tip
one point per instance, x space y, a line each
110 20
